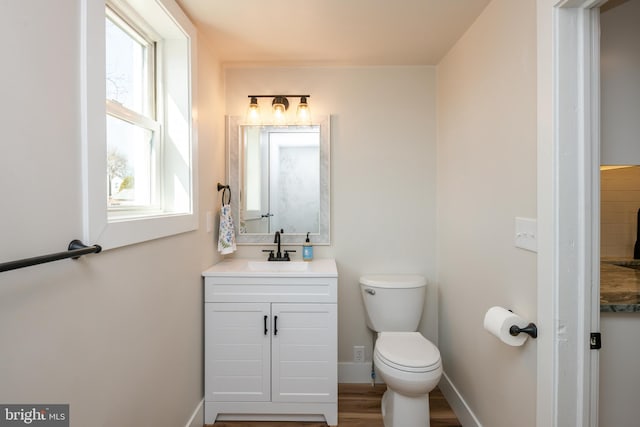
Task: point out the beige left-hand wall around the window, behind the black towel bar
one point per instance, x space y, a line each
116 335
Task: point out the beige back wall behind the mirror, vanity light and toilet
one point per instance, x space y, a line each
382 176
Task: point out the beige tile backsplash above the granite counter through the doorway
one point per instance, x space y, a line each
619 204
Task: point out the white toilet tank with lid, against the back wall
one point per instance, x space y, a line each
393 303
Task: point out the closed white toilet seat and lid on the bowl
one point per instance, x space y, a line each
407 351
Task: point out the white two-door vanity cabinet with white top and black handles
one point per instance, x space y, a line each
271 343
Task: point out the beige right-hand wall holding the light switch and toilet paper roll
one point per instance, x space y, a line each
487 177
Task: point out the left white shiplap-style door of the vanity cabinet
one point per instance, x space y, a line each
237 352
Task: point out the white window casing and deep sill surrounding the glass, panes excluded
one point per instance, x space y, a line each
176 107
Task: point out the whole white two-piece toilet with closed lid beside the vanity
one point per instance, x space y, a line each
405 360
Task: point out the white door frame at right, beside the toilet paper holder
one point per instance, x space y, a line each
568 211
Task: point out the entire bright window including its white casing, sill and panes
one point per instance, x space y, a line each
138 87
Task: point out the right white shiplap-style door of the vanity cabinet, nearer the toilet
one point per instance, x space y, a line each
304 353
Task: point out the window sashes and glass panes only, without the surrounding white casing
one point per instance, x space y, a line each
133 132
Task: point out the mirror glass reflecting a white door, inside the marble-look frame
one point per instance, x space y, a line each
281 179
